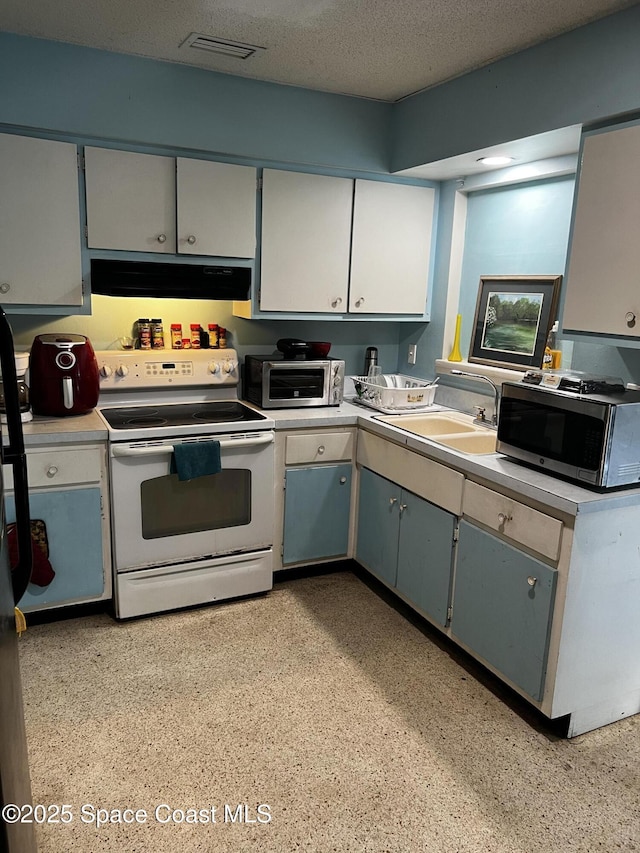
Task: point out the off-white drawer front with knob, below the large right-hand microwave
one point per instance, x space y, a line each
516 521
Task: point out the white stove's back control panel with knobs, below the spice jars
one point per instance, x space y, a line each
133 369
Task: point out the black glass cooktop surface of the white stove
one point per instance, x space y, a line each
180 414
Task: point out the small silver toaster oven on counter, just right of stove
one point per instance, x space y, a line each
275 382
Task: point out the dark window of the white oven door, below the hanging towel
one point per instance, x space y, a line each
171 507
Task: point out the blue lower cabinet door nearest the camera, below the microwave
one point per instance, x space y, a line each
502 607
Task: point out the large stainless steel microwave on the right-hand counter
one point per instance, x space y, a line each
593 439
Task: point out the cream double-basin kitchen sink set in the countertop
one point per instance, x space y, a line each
456 431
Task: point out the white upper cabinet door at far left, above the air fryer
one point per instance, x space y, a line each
39 222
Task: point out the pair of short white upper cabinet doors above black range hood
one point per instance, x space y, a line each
149 203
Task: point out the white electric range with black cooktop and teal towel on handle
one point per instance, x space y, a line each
182 542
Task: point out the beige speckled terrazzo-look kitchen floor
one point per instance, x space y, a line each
317 706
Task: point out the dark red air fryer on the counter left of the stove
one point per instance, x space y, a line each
63 375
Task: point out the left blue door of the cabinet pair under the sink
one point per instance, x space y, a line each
378 525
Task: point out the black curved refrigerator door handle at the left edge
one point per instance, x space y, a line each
13 454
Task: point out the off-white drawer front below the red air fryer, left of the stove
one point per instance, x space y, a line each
59 468
